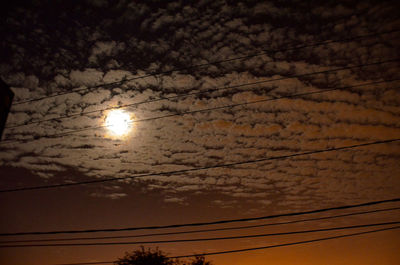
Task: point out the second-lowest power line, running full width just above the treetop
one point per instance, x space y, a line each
200 239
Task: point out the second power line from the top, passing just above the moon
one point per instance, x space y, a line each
67 116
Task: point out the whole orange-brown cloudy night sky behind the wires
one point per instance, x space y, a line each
216 83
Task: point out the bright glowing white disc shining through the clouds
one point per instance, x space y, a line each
118 122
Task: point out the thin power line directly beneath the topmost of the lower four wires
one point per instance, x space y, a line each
202 230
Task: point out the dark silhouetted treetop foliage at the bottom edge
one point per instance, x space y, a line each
156 257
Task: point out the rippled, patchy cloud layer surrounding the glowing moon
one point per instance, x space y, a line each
177 36
